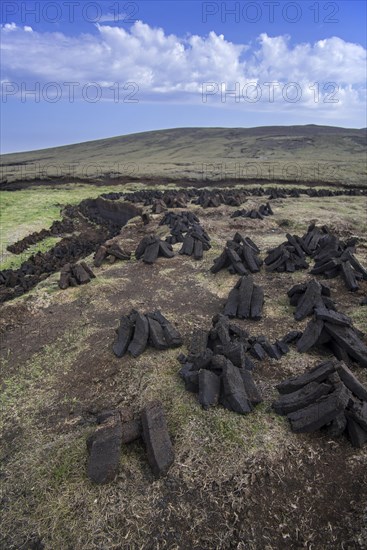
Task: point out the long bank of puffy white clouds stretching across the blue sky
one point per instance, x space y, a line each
170 68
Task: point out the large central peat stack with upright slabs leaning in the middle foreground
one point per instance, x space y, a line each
221 376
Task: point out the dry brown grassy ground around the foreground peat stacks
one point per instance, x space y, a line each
238 482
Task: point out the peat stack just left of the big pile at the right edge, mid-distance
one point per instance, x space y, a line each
287 257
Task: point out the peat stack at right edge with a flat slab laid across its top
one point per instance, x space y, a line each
335 330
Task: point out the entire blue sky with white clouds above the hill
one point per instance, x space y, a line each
74 71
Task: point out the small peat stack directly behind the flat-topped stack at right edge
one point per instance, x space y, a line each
309 296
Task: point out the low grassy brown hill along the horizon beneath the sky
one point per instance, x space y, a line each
310 154
